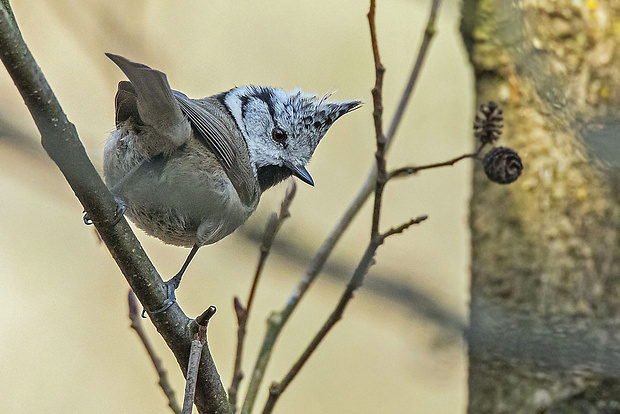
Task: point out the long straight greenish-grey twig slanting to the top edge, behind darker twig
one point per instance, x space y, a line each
278 319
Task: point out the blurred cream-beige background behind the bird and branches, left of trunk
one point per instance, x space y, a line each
65 342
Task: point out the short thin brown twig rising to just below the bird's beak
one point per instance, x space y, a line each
273 225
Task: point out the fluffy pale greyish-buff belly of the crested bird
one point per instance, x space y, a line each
182 198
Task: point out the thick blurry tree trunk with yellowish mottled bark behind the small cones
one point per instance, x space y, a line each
545 249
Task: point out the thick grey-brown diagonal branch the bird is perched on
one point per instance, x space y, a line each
60 139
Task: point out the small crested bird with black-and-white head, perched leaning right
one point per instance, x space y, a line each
191 171
